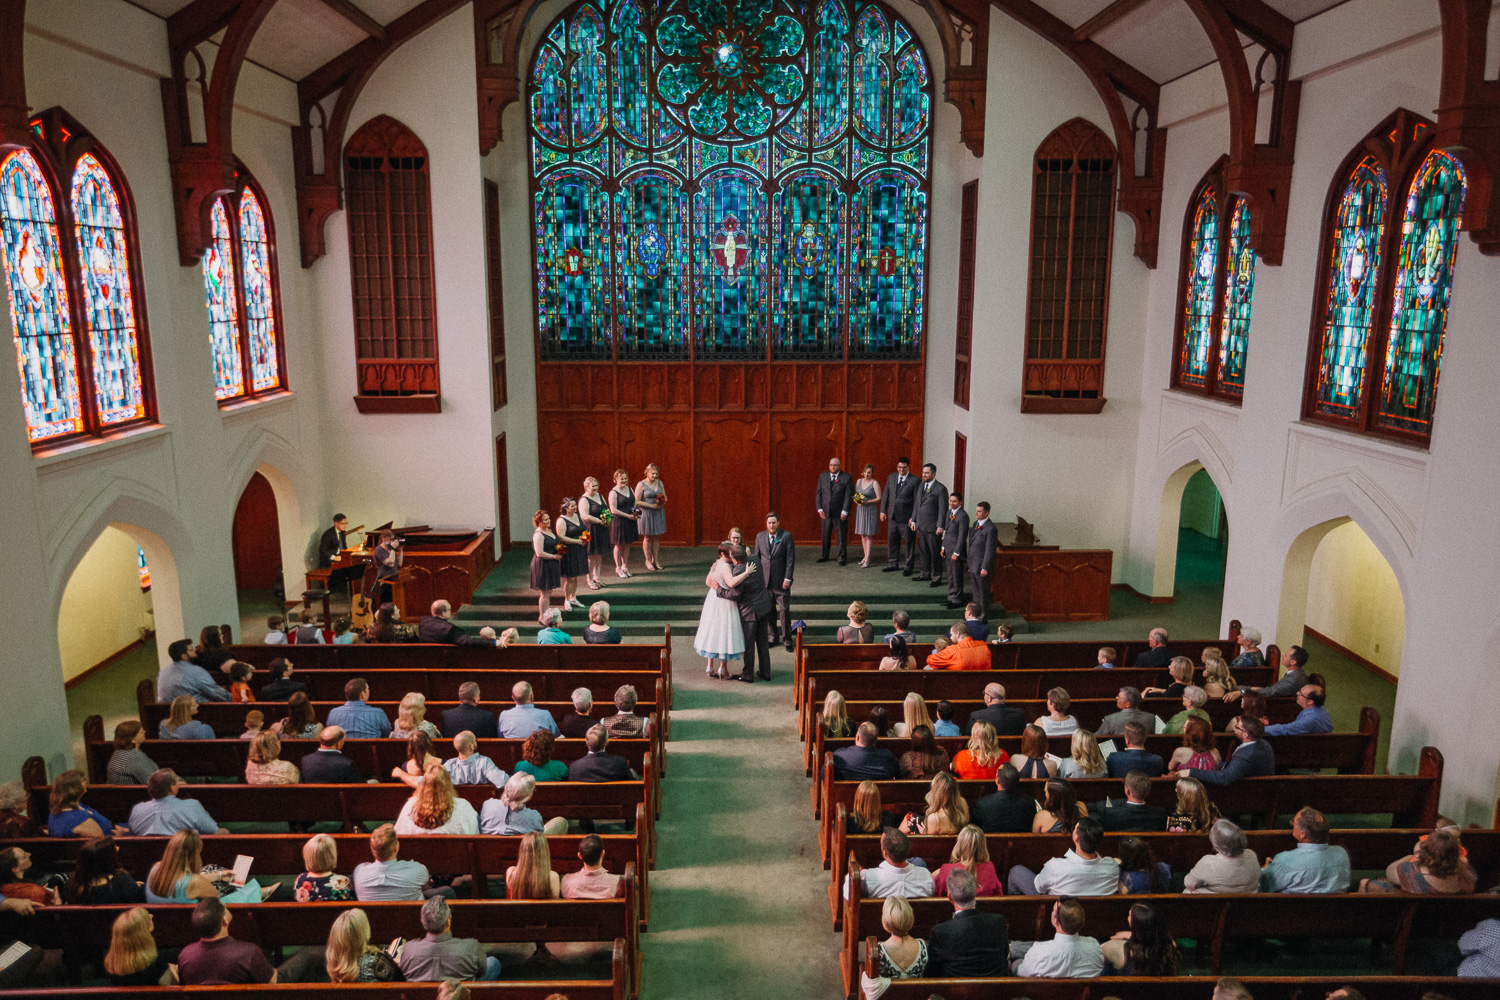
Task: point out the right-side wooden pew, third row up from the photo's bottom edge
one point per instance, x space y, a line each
1369 849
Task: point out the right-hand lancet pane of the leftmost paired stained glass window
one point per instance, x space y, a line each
110 308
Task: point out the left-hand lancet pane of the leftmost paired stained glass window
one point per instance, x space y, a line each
44 338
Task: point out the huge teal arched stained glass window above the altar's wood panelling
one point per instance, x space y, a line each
730 181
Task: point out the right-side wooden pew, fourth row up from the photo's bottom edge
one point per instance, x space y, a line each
1411 798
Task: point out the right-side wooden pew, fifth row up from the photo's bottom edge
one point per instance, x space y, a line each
1348 753
